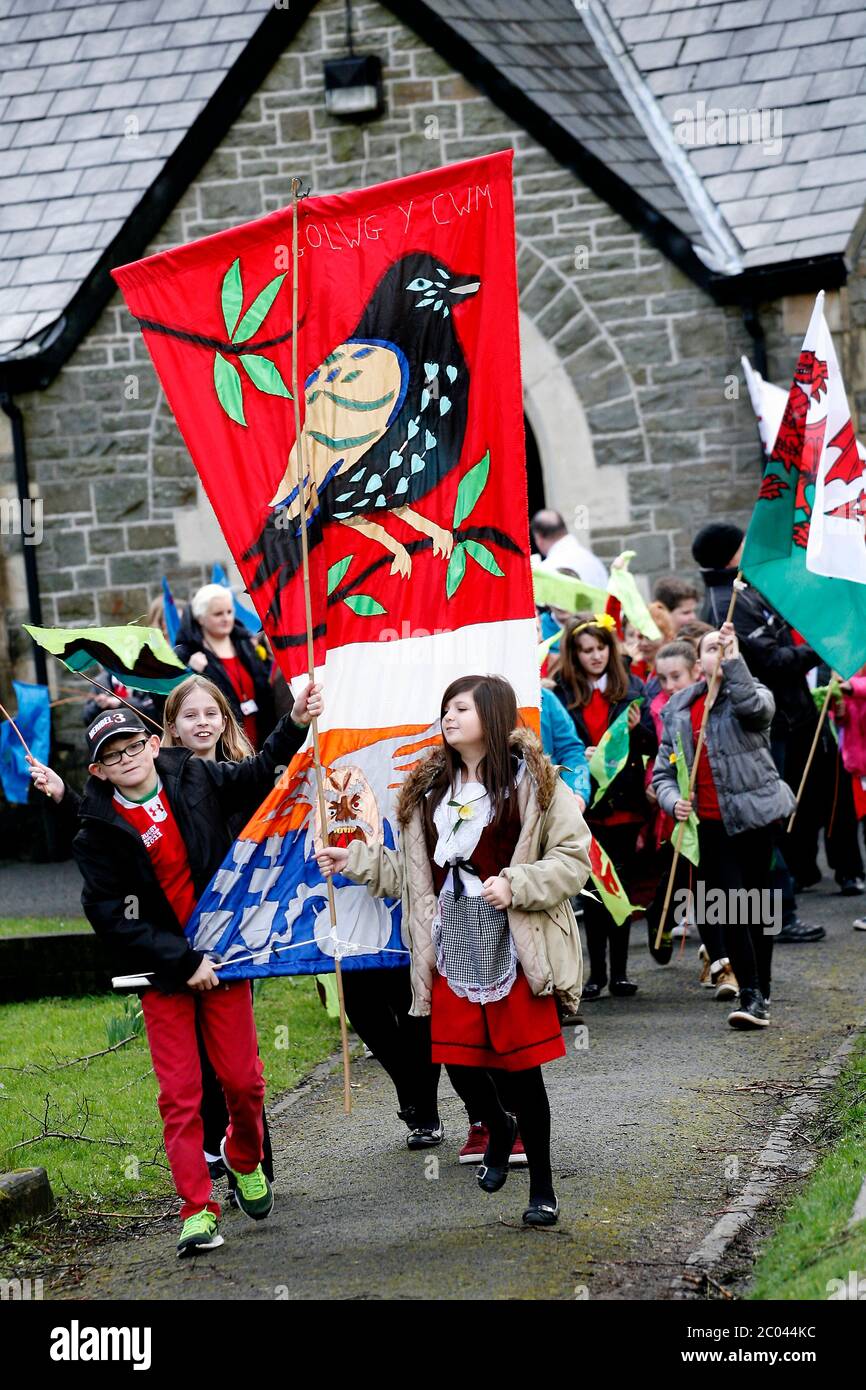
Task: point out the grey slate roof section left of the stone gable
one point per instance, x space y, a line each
73 166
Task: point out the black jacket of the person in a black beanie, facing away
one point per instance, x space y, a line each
768 648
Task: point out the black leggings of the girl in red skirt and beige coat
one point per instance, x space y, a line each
489 1095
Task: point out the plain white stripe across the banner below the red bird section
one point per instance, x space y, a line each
401 680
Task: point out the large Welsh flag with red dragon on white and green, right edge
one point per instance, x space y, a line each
806 550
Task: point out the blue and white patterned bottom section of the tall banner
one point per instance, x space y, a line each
270 901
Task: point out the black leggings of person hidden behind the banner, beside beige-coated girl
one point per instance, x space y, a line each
377 1007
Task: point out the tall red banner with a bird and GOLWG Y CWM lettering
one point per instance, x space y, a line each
415 505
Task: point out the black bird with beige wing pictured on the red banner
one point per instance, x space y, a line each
386 418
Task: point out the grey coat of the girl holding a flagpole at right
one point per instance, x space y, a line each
737 743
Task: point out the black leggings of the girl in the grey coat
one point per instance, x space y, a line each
737 862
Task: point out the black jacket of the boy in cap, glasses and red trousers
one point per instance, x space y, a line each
122 894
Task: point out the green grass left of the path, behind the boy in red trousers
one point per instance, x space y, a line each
90 1115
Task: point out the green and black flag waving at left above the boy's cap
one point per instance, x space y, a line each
138 657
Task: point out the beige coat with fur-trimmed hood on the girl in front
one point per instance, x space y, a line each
550 867
